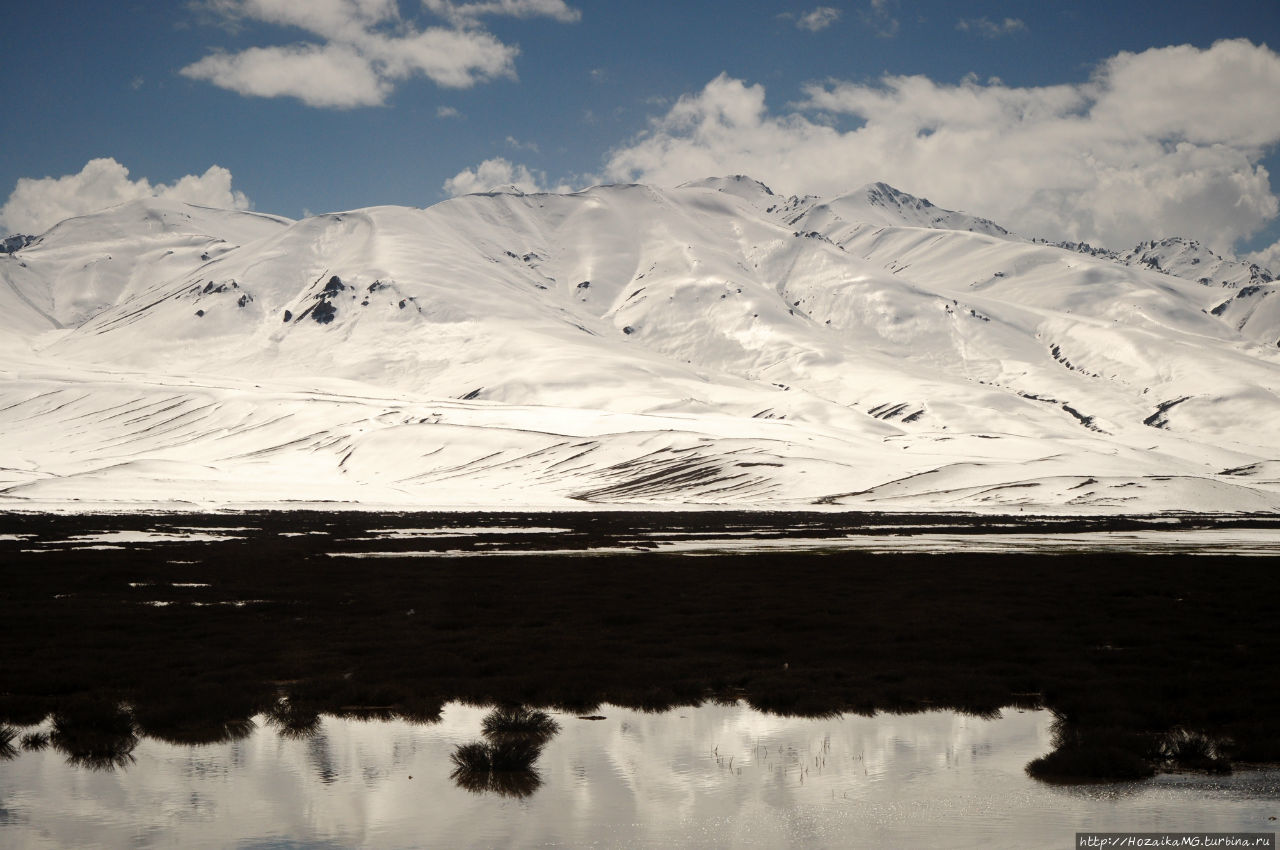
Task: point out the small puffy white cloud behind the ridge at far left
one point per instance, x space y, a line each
36 205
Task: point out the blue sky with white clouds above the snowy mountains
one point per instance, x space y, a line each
1004 109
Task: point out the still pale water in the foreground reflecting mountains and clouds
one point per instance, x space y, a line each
715 776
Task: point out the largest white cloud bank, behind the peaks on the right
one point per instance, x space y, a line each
1164 143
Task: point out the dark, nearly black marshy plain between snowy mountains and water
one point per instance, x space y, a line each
1122 647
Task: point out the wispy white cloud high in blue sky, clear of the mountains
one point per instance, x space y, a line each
362 49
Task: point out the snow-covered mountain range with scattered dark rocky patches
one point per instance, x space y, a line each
708 345
